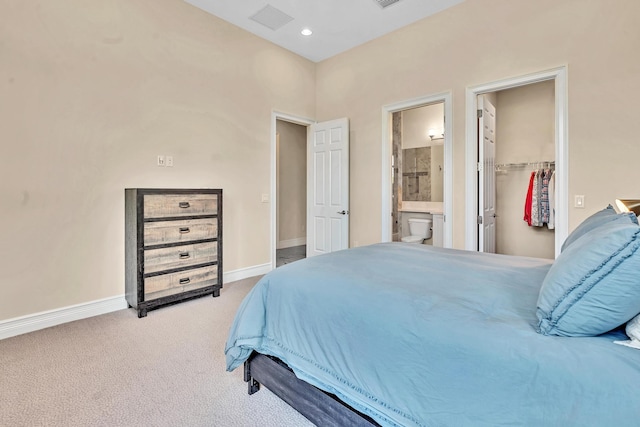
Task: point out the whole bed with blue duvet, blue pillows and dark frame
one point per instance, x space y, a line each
398 334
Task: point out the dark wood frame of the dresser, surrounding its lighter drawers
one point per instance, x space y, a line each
134 250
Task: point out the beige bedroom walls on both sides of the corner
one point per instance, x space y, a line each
91 92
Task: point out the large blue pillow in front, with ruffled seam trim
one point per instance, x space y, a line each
594 285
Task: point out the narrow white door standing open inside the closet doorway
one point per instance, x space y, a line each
486 176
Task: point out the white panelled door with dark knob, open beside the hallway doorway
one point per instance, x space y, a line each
328 187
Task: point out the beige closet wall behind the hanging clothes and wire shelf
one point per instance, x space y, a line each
524 133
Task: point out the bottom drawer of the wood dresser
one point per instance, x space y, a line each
175 283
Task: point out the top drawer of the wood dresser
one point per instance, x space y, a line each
176 205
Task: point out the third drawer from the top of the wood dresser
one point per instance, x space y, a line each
179 256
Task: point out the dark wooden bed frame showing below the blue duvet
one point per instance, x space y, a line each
318 406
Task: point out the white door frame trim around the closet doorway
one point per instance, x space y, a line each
561 114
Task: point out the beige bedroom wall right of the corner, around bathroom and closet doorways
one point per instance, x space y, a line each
596 39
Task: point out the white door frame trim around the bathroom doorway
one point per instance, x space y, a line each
387 111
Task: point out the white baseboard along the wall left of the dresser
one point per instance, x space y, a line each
45 319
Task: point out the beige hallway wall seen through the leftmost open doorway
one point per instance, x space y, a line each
292 184
